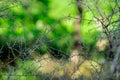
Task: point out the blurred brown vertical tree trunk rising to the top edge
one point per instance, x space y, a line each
75 57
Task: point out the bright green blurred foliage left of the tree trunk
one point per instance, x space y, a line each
34 19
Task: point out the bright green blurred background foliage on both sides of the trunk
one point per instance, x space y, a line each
49 20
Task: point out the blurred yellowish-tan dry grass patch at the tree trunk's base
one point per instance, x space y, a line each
58 68
